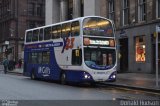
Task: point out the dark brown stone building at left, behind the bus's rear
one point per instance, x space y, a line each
15 17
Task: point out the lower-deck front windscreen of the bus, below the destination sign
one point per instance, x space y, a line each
100 57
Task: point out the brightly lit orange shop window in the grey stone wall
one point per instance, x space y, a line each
140 49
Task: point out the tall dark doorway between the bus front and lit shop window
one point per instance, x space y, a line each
123 55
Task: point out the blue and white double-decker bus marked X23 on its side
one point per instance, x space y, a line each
79 50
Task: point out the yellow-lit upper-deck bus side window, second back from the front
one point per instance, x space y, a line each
66 30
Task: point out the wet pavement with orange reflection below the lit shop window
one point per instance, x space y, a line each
139 81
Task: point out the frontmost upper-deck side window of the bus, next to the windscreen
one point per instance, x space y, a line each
75 28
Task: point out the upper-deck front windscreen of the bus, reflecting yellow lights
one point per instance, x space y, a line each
97 27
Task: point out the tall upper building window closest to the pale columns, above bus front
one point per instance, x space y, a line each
111 9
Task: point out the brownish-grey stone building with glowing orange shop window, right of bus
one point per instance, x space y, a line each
135 22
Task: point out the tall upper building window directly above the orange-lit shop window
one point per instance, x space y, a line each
142 10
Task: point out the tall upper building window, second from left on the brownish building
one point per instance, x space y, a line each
125 12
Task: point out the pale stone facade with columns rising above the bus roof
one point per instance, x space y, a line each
61 10
